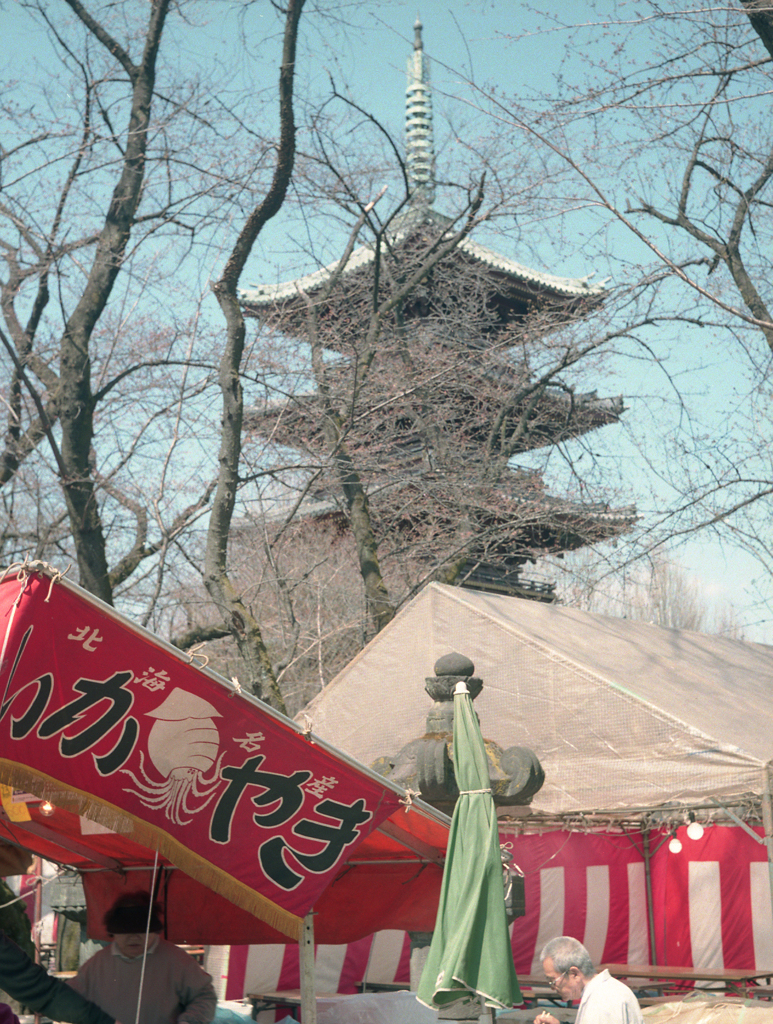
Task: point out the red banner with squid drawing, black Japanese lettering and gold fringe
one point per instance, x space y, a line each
105 719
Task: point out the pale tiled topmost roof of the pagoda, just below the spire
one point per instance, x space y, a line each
516 278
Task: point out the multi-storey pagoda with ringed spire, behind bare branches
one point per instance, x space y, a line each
456 393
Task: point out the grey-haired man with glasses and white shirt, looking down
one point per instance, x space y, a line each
604 1000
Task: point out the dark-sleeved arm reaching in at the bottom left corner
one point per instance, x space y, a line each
31 985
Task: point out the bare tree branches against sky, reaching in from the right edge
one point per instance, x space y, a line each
659 145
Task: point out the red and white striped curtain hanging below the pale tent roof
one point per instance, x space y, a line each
712 908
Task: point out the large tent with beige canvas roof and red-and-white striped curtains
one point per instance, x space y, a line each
624 716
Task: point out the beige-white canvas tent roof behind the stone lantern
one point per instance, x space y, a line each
622 714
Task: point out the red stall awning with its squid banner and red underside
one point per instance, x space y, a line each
119 731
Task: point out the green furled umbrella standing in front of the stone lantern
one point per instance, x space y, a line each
470 955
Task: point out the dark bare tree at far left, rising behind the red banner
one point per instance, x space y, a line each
71 397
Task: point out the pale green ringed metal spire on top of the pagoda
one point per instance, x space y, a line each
420 149
